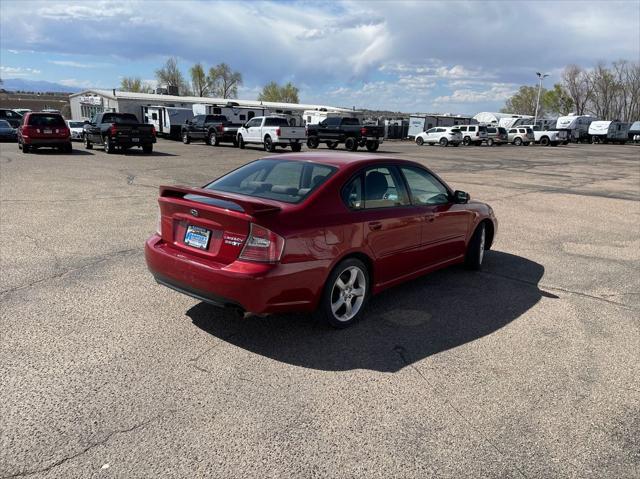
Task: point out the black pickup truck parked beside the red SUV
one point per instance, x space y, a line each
118 131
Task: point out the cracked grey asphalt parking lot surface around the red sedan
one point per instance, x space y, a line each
530 368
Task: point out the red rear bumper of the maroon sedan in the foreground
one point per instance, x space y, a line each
252 287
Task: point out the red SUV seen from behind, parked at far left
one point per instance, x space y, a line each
44 130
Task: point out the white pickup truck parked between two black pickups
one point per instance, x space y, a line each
271 131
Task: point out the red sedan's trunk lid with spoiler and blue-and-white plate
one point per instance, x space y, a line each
206 223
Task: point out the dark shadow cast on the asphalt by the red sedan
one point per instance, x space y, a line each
440 311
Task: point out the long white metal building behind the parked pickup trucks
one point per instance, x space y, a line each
89 102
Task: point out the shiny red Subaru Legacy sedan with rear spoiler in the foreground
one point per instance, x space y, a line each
301 232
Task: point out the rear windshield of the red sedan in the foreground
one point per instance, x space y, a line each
281 180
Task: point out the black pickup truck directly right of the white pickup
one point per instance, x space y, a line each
347 130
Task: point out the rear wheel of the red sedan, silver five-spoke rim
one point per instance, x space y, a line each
345 294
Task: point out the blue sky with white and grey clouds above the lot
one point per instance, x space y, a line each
421 56
